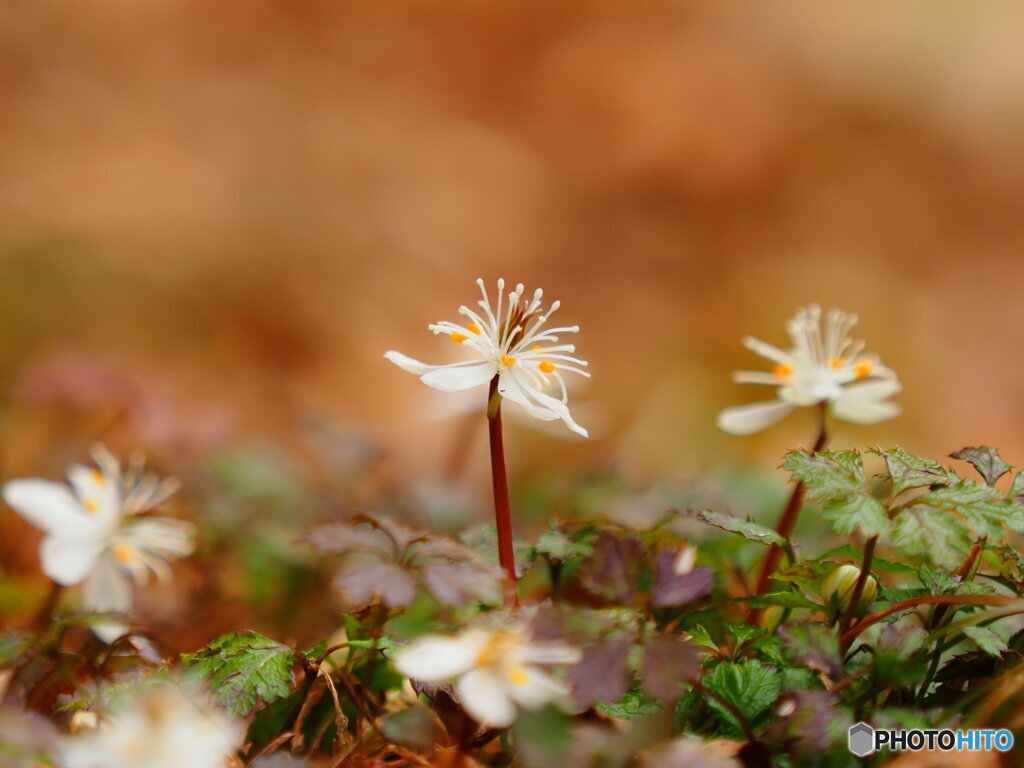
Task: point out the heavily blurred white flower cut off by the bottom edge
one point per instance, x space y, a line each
161 729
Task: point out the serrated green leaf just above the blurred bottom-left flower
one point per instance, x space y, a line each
243 669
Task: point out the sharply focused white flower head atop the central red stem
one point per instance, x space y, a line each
514 344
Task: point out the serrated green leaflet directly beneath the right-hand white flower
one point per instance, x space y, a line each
836 481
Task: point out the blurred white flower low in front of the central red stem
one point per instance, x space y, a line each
495 670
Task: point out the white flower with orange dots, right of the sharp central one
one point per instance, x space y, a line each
819 368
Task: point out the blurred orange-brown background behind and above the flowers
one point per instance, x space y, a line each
216 219
